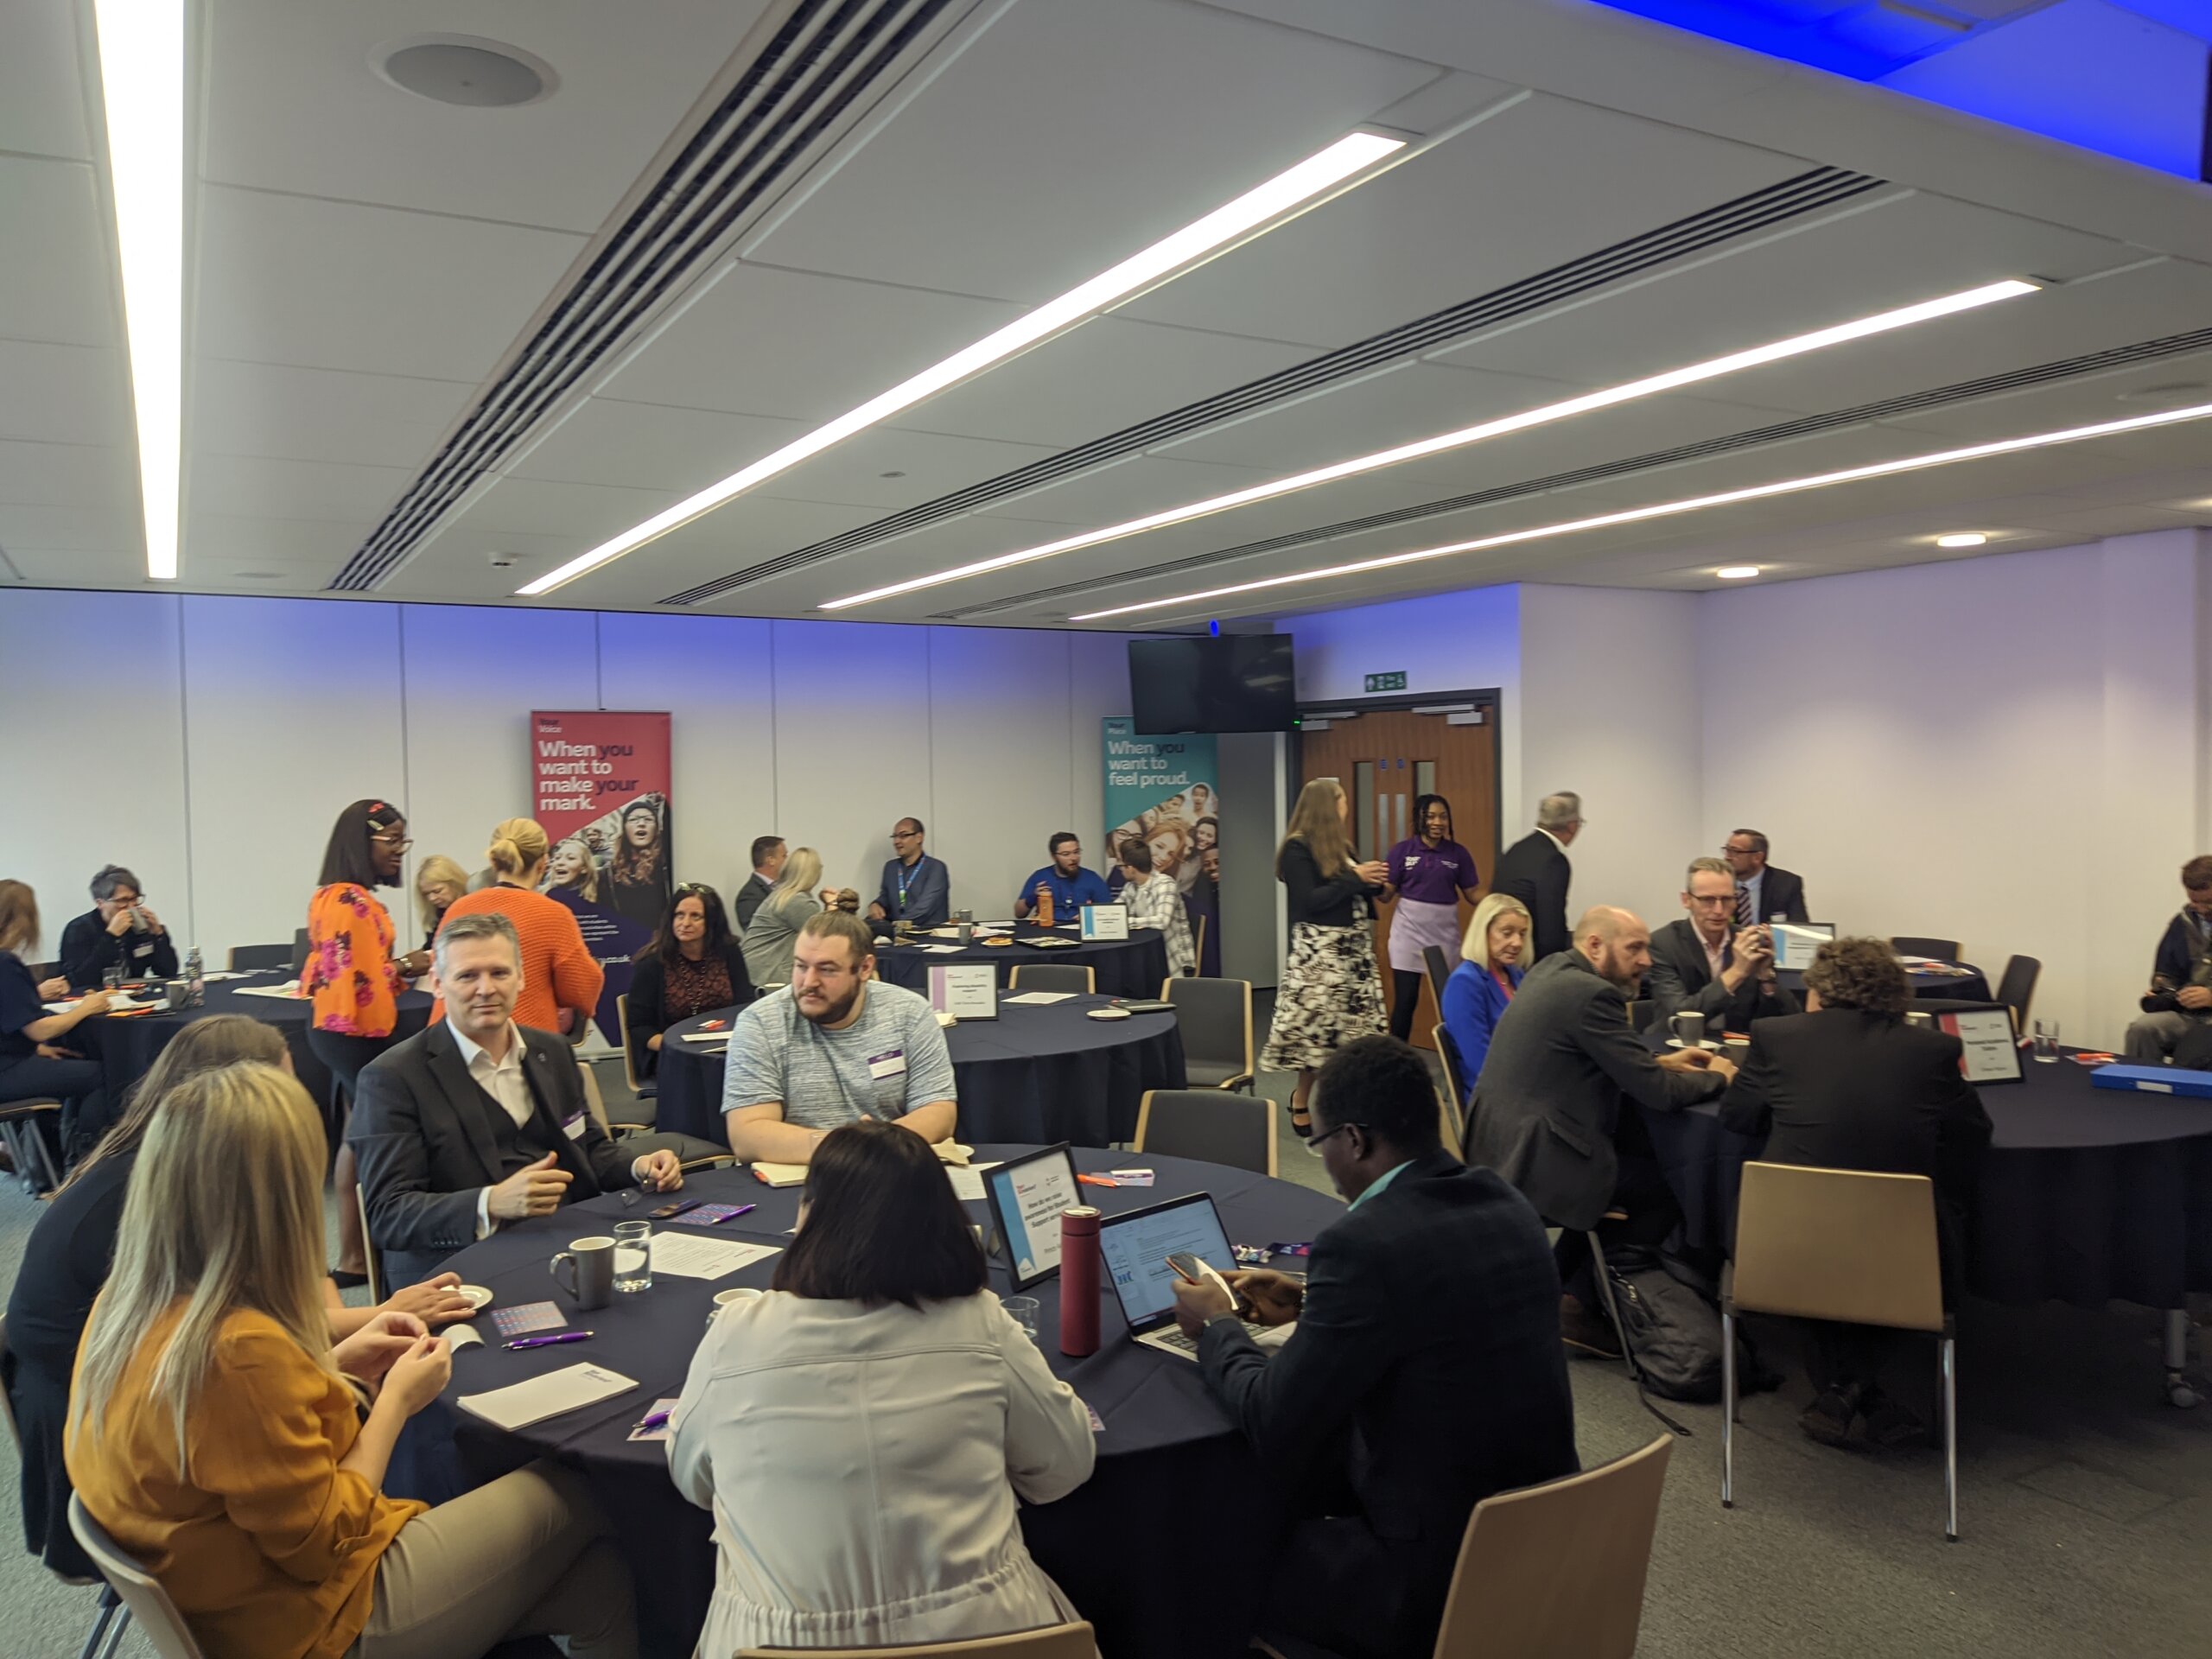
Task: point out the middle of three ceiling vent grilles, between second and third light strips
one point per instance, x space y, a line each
1698 233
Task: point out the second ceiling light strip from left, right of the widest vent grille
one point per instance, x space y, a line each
1140 271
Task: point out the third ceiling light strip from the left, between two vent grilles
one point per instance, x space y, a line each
1565 410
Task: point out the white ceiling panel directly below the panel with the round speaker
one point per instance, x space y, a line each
340 286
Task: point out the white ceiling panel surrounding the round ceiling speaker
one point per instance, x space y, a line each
298 105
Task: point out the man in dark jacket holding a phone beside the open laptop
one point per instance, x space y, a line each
1423 1373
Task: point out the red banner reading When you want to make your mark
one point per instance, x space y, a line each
603 786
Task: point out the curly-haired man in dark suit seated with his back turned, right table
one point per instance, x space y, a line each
1853 1087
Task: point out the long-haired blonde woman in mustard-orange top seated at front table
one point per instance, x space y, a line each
216 1437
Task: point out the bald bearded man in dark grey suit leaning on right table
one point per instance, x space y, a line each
1550 1118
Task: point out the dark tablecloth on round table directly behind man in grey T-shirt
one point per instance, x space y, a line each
1036 1074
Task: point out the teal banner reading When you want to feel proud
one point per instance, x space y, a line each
1162 791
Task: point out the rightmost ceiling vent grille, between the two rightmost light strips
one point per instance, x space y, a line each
1784 432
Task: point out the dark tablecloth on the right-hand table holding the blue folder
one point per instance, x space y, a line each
2087 1196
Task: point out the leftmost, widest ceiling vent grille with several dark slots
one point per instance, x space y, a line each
824 59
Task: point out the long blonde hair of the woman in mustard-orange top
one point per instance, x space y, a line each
225 1213
